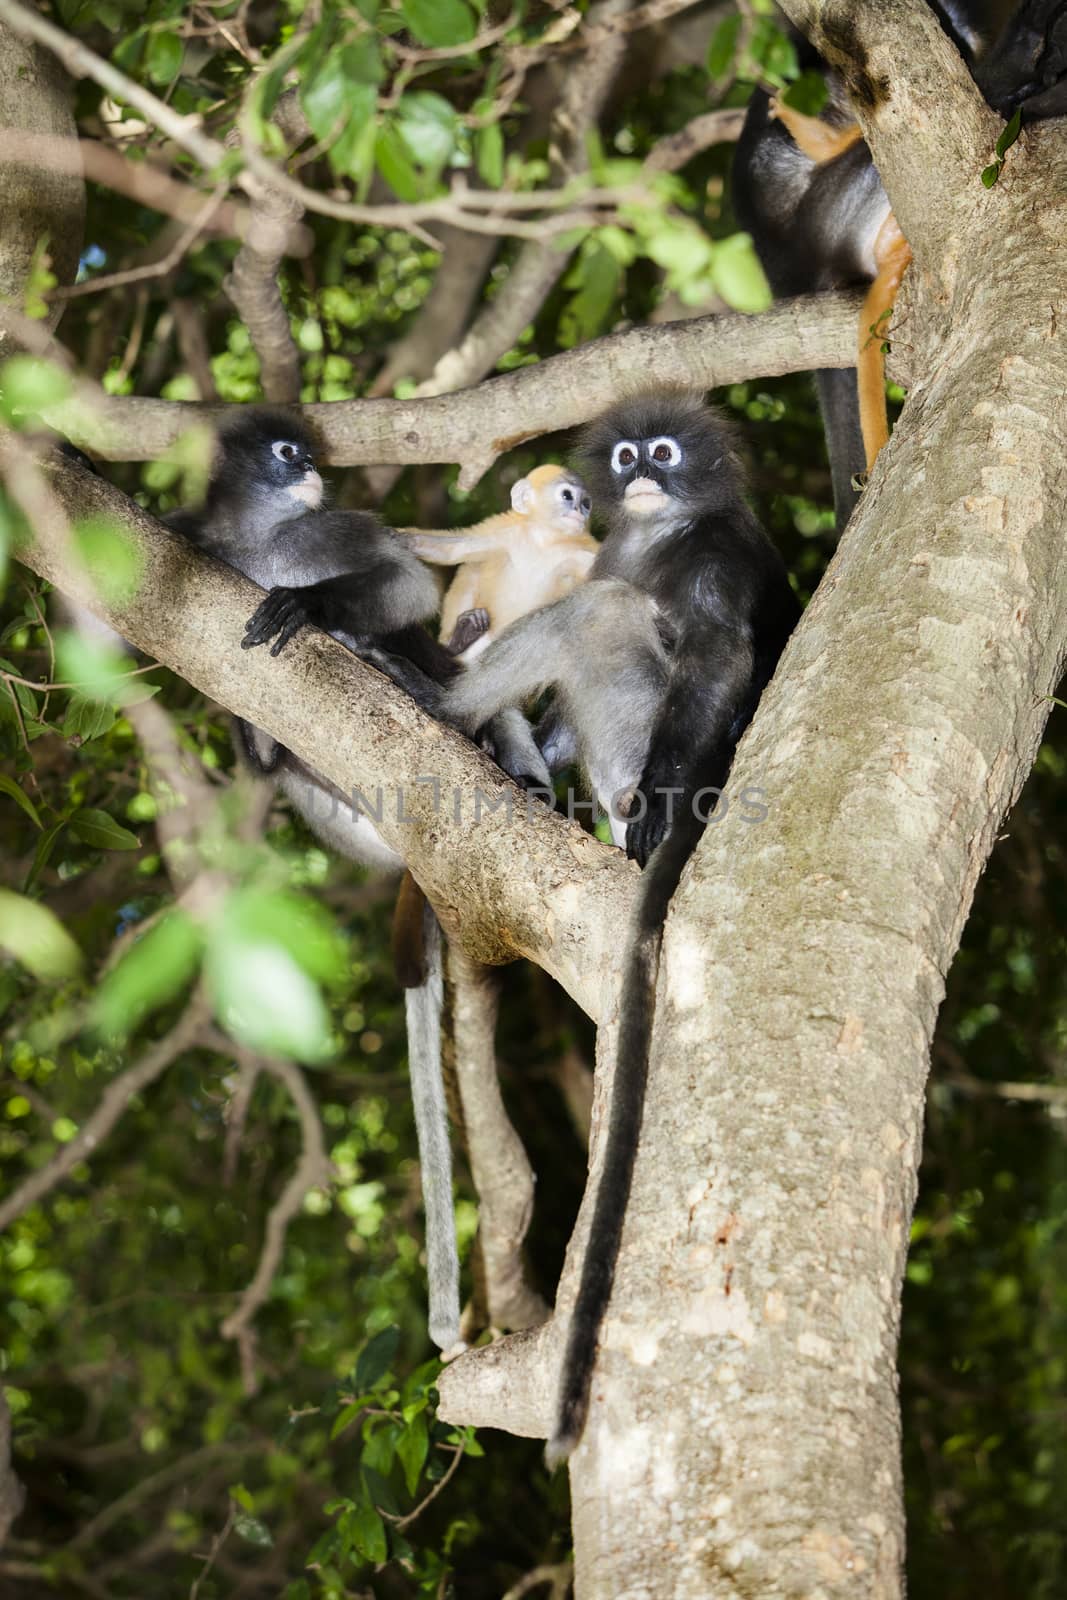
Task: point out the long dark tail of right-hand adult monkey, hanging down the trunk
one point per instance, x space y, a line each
625 1129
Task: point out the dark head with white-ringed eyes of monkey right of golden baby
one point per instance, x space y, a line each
660 452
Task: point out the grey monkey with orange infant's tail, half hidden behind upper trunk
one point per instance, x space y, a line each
809 193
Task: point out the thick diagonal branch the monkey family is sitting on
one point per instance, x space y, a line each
506 876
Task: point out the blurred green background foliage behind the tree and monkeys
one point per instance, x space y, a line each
159 1460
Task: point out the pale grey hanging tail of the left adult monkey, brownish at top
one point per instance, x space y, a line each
423 1009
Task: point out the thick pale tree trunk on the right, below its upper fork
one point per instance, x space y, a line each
745 1434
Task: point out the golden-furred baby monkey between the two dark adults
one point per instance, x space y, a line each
516 562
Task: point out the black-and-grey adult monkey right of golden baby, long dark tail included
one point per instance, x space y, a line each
658 663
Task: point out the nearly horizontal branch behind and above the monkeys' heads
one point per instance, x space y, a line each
479 425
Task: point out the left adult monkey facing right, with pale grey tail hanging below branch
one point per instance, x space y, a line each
356 578
